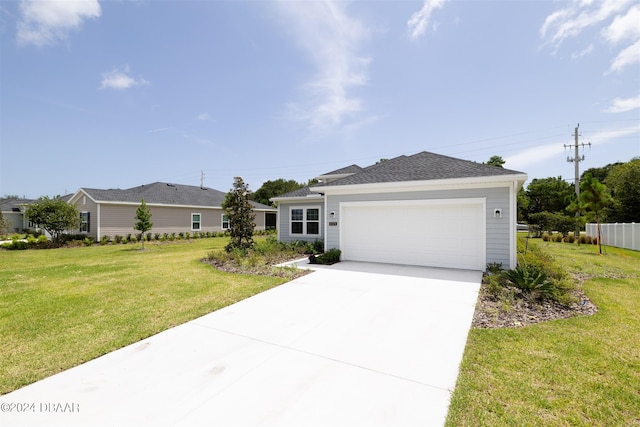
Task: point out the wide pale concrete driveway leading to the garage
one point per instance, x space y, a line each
354 344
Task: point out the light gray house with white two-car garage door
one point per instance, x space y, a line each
425 209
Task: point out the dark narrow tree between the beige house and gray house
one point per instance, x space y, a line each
241 216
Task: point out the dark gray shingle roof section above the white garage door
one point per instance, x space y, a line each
423 166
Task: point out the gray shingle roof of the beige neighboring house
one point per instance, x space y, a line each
165 193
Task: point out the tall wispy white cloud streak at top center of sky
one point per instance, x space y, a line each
332 41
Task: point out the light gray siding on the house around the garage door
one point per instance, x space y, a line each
498 229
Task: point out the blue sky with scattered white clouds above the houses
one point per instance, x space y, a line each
115 94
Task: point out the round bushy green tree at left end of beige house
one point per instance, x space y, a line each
54 215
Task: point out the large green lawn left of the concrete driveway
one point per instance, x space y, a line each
62 307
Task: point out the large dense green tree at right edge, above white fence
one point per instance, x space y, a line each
624 182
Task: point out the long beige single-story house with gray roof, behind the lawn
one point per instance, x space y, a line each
174 208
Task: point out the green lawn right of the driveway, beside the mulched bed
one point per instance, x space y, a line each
582 371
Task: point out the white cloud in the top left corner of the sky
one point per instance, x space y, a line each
45 23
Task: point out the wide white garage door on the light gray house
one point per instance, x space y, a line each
438 233
